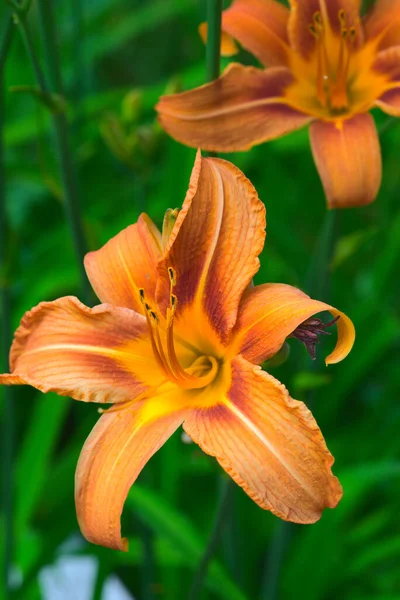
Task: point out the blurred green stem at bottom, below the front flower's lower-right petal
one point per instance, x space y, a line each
214 539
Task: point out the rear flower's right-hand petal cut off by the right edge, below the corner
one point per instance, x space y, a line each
387 63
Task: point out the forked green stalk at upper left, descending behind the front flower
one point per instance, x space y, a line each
67 170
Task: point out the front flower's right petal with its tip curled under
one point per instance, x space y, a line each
269 313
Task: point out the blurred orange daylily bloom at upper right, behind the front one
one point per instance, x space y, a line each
325 66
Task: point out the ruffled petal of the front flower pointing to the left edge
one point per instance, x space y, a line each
65 347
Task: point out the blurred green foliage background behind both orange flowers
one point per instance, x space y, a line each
117 58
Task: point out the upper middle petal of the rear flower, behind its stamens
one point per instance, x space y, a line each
301 17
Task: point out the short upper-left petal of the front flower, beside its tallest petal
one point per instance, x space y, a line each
126 263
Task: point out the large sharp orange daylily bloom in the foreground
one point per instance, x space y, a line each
176 341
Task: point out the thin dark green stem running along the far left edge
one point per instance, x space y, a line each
5 314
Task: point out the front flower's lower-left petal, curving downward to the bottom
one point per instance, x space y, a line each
111 459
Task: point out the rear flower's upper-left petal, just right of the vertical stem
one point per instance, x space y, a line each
261 28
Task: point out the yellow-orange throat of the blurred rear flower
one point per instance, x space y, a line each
337 79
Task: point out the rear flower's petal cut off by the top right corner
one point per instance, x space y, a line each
382 23
